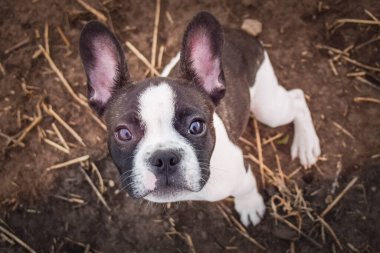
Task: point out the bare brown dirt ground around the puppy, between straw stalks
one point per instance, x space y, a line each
291 27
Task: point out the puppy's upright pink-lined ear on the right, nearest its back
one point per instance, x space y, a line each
201 55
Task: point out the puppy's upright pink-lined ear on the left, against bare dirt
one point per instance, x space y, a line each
104 62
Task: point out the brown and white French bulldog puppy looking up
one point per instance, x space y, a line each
175 137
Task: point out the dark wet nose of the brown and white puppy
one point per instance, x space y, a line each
165 161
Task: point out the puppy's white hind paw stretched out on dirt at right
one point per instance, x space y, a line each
306 145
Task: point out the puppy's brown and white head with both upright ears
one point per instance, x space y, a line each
160 130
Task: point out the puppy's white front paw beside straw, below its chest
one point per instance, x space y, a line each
251 208
